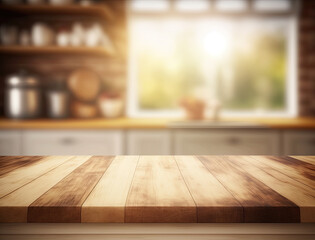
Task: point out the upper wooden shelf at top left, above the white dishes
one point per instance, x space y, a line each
93 10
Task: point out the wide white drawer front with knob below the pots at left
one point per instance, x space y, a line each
69 142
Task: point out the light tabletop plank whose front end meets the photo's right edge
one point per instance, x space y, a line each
299 193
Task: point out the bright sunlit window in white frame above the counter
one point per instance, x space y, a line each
246 63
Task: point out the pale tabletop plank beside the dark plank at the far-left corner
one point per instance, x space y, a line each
21 176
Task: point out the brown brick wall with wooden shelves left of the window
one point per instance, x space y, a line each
50 66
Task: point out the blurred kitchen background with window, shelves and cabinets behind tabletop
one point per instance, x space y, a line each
107 77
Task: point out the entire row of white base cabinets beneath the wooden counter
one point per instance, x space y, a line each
233 141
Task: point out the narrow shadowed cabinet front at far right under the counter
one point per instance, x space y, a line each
299 142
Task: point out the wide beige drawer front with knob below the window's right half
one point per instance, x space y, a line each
227 141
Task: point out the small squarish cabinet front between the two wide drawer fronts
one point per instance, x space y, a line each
149 142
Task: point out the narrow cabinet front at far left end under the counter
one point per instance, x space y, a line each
10 142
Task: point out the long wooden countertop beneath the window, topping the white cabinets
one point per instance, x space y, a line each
141 123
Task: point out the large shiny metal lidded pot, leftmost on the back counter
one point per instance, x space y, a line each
22 96
